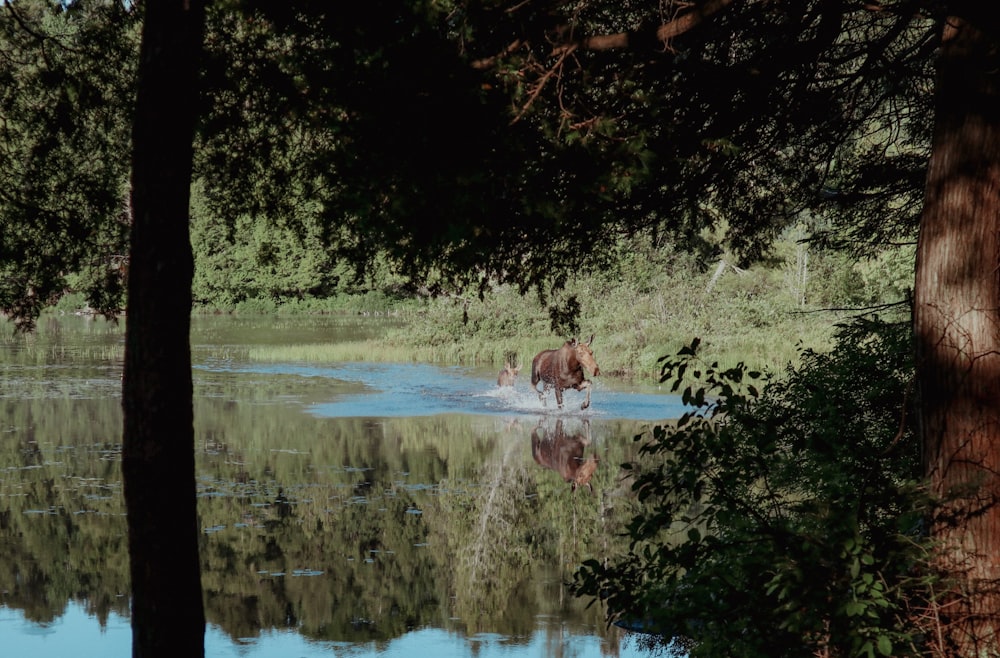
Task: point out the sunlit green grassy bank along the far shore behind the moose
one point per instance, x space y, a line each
654 302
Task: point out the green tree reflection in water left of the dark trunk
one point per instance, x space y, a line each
62 530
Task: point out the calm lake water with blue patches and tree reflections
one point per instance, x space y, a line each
348 509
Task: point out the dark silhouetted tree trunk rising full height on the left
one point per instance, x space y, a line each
168 617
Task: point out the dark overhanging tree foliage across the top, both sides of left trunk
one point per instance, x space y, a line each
462 143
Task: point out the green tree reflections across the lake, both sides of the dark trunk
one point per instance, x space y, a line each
351 530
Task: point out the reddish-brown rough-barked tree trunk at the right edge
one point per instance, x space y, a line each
957 327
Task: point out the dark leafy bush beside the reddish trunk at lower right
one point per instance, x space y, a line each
782 517
